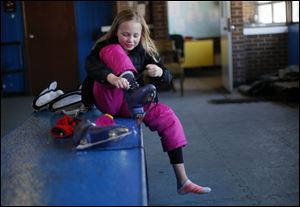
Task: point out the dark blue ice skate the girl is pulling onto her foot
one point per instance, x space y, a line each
137 97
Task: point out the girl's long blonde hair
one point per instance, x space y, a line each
128 15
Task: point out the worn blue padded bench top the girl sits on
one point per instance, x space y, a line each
39 170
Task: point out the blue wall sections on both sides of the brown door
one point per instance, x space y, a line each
89 17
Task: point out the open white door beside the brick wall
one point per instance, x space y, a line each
226 45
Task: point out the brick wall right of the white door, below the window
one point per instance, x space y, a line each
255 55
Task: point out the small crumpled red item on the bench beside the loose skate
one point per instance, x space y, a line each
64 127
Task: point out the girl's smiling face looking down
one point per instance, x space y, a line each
129 34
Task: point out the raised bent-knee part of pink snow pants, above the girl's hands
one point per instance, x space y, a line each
114 57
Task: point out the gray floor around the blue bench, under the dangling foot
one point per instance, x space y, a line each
247 153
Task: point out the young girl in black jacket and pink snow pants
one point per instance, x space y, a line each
124 53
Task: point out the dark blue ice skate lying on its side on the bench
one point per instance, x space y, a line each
87 135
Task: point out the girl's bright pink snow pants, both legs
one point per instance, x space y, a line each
160 117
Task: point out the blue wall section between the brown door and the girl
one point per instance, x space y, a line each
90 16
